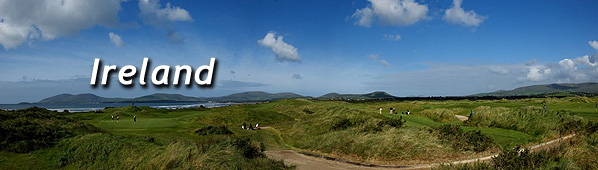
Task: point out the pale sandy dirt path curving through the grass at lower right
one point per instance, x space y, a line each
319 162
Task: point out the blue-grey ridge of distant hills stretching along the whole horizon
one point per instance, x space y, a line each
253 96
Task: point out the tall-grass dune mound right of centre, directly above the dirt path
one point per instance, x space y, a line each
338 130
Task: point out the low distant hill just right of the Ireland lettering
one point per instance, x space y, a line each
254 96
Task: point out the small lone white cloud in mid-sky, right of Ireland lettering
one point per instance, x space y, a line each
282 50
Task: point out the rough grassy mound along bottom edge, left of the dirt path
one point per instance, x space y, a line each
104 151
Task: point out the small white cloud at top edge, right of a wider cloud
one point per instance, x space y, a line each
457 15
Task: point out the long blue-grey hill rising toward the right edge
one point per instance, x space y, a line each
546 89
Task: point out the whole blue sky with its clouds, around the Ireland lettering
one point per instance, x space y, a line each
309 47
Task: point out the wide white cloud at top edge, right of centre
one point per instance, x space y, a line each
391 12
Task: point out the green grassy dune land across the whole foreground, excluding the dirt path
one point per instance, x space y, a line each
213 139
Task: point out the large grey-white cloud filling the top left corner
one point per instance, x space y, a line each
27 20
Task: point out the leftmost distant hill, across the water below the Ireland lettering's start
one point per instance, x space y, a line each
79 98
